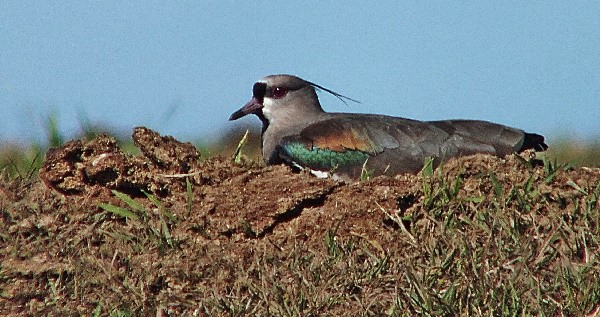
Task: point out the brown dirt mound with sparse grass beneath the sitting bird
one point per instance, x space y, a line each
164 233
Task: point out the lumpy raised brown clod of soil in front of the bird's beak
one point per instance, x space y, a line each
77 166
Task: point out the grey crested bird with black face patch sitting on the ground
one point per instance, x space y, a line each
347 146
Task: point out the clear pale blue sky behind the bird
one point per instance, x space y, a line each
182 67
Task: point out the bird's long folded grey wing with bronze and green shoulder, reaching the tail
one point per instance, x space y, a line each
394 145
